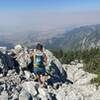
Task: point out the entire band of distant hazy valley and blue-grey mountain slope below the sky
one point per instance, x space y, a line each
83 37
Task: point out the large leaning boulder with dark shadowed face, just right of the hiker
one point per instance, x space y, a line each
55 68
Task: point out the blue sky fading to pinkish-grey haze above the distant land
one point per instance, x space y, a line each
42 15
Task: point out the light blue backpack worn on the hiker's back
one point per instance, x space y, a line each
38 58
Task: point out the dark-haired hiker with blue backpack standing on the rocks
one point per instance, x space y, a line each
39 64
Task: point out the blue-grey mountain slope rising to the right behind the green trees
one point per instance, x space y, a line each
84 37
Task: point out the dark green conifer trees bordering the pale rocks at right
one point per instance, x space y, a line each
90 58
